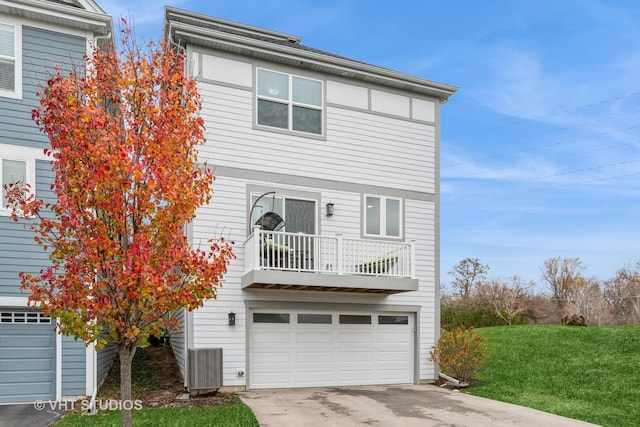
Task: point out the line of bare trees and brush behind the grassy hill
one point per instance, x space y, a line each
476 301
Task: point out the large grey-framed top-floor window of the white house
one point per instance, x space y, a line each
289 102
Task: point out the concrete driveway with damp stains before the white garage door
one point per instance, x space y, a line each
398 405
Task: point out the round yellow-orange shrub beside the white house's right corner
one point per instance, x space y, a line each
460 353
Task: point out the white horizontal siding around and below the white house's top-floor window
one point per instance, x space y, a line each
360 148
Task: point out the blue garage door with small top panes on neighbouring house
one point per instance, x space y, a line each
27 356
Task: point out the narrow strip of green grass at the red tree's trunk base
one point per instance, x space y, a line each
234 414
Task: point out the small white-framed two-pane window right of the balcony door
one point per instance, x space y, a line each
382 216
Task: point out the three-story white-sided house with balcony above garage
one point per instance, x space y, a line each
327 181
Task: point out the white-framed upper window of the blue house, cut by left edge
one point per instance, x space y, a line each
10 60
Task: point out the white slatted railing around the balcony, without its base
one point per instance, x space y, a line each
271 250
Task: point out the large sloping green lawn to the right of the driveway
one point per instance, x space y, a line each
591 374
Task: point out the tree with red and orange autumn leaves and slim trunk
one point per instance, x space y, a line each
124 137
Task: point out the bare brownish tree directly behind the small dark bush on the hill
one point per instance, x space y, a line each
562 275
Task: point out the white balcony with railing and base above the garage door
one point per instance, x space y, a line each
281 260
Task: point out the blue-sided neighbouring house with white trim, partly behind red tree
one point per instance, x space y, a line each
36 363
